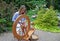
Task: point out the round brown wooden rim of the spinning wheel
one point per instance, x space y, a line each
14 27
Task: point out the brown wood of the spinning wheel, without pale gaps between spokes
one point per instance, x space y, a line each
28 31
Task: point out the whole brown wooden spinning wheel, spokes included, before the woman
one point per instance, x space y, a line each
21 28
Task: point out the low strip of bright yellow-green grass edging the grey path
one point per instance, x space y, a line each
48 29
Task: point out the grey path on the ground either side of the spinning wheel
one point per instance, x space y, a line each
43 36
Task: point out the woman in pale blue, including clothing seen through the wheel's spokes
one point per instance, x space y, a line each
21 11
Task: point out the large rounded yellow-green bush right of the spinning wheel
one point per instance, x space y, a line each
46 19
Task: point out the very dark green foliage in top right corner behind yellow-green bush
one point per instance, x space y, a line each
54 3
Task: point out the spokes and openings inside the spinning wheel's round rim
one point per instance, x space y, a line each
22 27
